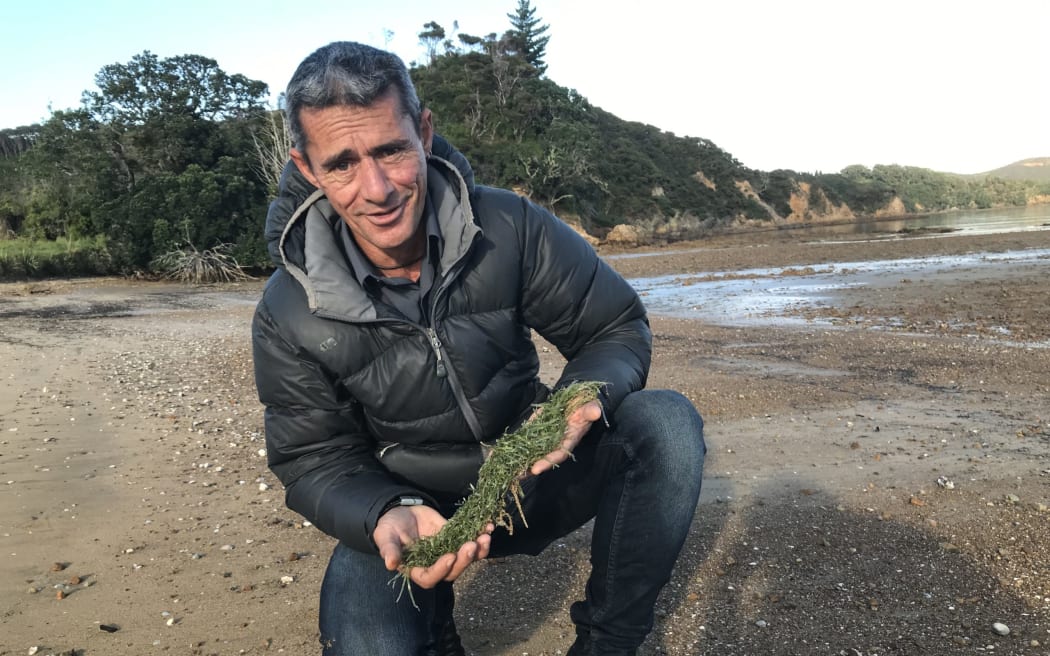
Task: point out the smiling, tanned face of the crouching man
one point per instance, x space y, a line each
371 163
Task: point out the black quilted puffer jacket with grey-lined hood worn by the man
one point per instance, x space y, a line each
343 377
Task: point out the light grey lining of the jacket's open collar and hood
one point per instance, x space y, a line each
331 288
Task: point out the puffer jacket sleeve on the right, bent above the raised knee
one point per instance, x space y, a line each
584 308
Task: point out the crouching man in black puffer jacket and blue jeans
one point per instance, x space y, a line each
394 342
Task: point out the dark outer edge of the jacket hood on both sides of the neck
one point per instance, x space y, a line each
295 191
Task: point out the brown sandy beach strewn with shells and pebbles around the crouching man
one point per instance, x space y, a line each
877 482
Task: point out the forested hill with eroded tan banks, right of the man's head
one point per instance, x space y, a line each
524 132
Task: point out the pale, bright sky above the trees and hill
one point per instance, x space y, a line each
810 86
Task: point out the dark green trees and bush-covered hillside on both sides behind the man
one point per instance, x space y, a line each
176 155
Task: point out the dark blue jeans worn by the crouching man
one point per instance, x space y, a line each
640 480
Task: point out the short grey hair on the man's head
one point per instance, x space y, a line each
347 74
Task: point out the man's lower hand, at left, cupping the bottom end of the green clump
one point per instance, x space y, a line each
404 525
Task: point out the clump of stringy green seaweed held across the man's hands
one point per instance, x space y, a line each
500 477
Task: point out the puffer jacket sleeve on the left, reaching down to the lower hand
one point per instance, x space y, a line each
317 443
